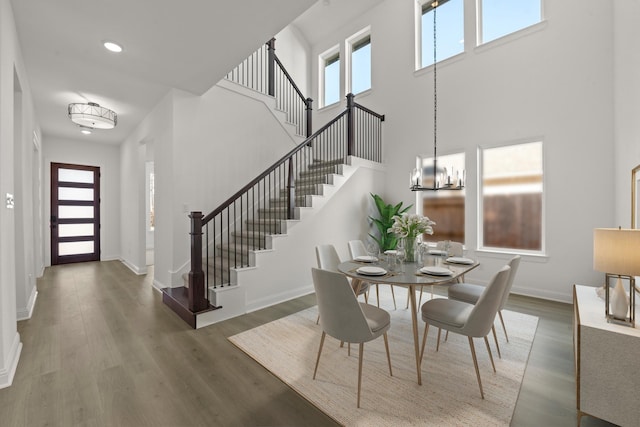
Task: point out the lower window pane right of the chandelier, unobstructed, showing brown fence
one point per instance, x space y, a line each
512 197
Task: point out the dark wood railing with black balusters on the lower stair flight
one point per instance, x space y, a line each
225 238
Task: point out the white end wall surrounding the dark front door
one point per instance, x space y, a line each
107 158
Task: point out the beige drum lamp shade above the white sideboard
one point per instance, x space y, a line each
616 251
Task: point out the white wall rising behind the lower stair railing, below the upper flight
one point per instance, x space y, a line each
206 148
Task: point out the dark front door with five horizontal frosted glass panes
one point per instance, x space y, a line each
75 213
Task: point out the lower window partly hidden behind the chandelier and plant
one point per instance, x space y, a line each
444 207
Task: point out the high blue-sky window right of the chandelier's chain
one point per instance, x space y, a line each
497 18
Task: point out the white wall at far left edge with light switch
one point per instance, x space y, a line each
18 265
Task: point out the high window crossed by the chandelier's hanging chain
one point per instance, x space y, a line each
449 28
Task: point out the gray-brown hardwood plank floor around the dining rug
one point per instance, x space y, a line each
103 350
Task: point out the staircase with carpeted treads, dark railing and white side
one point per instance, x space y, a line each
227 243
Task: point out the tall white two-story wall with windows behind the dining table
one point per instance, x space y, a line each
552 83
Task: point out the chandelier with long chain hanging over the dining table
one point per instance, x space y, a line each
445 179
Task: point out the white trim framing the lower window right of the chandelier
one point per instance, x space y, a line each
480 201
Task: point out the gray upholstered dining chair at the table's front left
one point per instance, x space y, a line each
344 318
